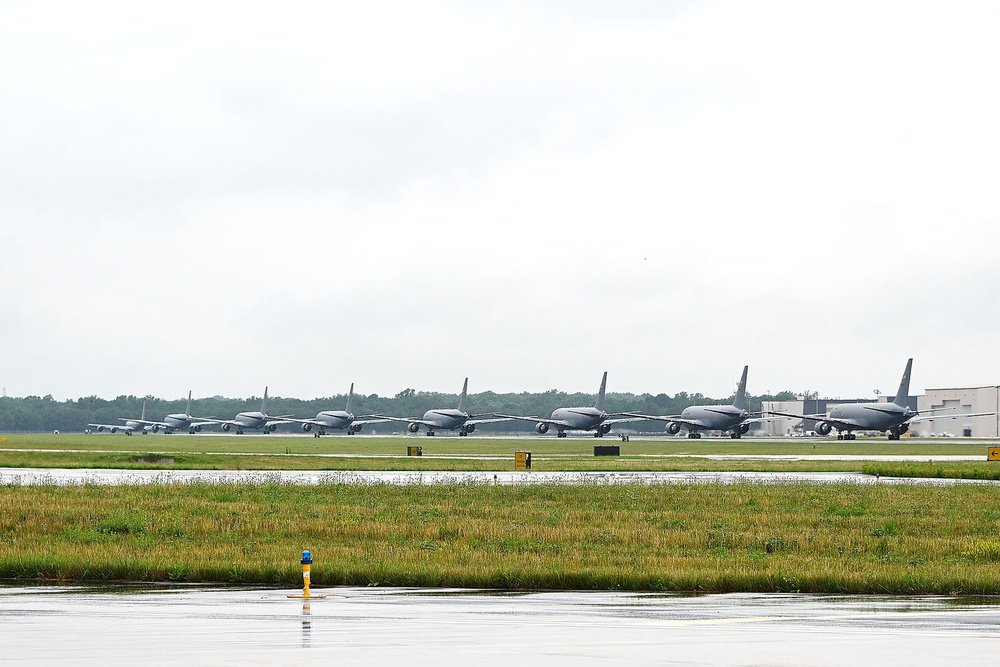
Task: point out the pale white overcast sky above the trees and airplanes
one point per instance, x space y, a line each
220 196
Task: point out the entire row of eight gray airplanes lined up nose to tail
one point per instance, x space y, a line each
735 420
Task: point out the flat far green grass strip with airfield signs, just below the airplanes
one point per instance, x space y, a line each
485 454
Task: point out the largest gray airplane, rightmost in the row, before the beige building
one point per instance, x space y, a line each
894 418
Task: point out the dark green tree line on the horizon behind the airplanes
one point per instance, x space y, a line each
43 413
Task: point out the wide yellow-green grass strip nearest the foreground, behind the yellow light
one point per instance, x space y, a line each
746 537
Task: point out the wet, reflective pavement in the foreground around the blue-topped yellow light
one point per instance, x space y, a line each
207 625
